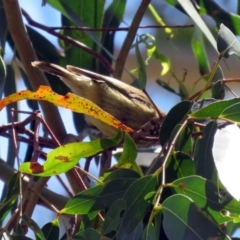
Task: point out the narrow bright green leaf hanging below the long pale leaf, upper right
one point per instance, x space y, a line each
199 50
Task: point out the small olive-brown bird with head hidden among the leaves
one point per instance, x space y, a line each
128 104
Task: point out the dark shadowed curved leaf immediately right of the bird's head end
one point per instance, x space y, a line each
174 117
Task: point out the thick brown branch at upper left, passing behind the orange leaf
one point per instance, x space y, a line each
27 55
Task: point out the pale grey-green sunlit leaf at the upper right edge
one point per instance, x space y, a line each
227 42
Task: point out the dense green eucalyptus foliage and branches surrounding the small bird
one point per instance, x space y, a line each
185 193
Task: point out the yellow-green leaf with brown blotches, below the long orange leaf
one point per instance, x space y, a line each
67 156
